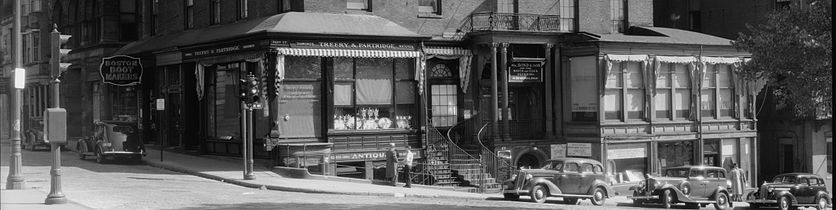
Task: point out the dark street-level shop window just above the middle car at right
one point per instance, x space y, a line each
672 154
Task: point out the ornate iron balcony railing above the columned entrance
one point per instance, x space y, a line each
511 22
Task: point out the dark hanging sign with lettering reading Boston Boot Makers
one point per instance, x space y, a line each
121 70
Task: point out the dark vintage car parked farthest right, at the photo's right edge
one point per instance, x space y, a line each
790 191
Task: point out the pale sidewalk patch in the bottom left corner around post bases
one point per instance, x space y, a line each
32 199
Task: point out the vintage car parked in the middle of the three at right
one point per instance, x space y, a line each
693 185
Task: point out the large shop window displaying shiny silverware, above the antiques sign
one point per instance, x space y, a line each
374 93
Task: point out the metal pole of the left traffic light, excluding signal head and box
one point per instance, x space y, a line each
56 196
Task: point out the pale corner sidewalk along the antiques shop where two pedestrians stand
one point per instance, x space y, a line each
230 170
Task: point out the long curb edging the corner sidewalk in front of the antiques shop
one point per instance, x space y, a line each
293 189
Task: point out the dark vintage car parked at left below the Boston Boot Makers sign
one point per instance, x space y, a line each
112 139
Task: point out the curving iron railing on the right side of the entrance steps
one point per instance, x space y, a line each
497 166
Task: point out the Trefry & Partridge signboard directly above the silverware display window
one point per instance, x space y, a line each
352 45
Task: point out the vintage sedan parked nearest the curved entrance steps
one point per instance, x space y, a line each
569 178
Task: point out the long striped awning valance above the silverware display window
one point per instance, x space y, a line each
348 53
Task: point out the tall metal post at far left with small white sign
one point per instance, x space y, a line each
15 181
